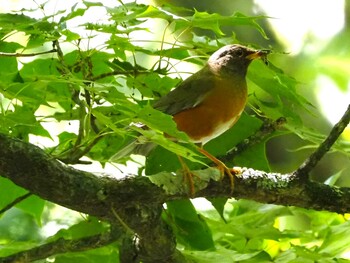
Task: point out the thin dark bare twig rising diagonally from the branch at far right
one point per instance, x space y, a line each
303 171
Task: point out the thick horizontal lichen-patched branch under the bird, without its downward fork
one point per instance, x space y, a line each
30 167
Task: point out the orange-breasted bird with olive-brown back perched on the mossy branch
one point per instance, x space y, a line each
210 101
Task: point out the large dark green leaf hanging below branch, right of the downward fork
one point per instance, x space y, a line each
191 228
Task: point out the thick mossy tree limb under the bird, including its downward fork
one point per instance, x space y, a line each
102 196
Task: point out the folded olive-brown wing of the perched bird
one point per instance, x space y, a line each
189 94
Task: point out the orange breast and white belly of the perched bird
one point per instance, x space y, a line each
219 110
